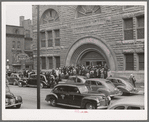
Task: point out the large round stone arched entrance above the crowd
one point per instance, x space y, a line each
91 51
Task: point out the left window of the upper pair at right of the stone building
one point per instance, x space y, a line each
128 29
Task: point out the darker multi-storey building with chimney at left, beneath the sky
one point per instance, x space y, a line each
19 51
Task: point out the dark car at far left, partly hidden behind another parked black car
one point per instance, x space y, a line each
13 79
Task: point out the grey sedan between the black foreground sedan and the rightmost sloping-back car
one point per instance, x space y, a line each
102 86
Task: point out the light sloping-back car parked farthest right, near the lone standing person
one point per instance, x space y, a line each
123 84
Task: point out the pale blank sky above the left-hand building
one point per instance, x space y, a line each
13 13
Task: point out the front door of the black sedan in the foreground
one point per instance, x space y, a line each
74 96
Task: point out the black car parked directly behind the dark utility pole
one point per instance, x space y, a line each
32 81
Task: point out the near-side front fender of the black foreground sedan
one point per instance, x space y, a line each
88 99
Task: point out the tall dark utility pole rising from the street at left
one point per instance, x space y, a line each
38 60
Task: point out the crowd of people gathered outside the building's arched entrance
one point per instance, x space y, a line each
56 75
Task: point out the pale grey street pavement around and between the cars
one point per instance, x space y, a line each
29 95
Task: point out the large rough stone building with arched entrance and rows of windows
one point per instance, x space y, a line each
91 35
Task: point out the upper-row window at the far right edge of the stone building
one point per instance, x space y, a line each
140 27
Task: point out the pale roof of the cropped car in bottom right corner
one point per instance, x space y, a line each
131 100
